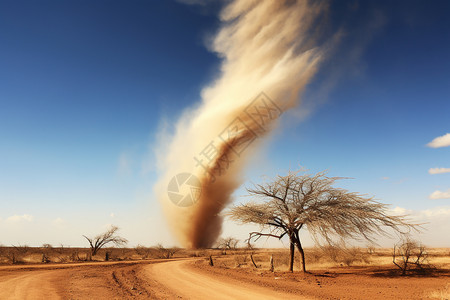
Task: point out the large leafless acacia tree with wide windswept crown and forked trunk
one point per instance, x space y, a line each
298 201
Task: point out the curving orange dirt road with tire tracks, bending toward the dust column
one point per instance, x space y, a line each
159 279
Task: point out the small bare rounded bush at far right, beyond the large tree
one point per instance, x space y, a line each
410 253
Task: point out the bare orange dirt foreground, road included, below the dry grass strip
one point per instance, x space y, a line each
195 279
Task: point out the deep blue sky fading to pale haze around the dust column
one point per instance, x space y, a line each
85 85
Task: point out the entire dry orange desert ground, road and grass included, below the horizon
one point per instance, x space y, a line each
141 274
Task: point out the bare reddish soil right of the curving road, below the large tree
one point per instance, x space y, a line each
344 283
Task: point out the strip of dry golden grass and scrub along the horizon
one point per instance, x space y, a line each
245 257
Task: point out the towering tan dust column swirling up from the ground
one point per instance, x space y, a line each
265 46
